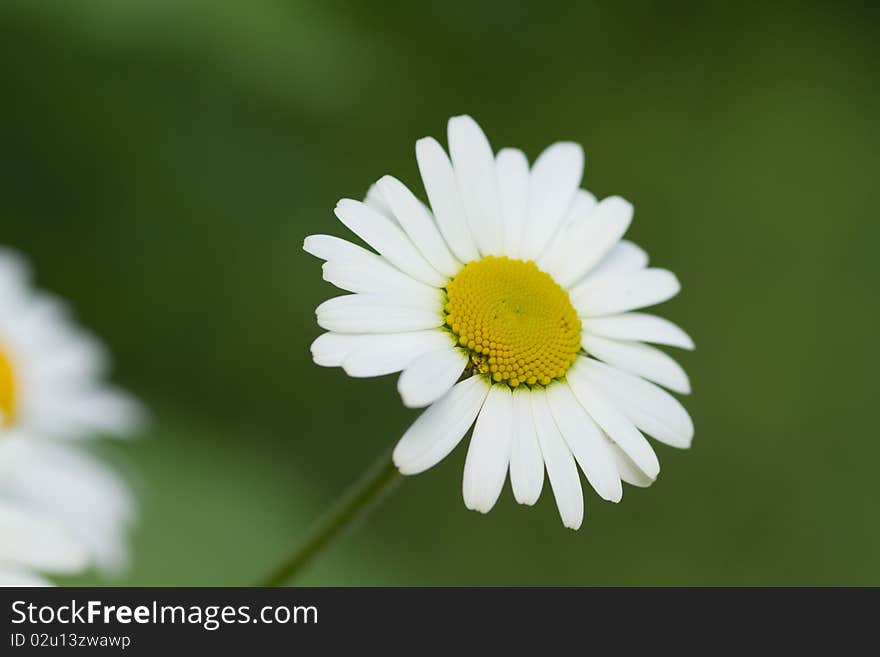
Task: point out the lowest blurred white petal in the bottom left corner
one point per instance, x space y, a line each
31 541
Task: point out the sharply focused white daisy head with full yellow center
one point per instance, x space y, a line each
508 305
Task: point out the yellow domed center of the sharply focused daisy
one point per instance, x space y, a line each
517 323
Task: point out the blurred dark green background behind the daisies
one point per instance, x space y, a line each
162 160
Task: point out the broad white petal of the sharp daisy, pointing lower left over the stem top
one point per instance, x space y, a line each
441 427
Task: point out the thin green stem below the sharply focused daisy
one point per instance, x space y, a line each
358 500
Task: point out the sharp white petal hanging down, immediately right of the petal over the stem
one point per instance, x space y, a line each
489 452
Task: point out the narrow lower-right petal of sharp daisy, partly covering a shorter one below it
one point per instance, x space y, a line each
614 423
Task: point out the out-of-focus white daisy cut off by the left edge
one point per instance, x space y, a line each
61 510
